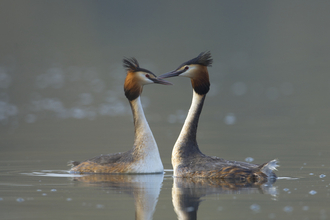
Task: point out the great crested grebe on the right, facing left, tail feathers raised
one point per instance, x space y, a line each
187 159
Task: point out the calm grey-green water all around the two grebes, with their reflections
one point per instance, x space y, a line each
62 99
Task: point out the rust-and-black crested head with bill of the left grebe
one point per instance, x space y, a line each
137 77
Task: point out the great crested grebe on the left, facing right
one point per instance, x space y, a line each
144 157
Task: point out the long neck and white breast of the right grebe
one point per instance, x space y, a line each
186 144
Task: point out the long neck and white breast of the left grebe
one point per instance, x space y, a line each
145 149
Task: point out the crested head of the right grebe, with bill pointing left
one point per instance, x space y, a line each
196 70
